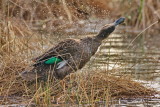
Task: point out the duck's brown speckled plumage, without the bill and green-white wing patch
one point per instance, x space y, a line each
77 52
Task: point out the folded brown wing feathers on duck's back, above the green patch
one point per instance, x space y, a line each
63 50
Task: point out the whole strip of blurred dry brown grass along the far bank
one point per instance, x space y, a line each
58 14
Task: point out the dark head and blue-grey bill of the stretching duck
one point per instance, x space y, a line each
108 29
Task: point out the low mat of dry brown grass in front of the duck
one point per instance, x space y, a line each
77 88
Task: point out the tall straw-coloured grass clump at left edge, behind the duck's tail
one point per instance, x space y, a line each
17 44
